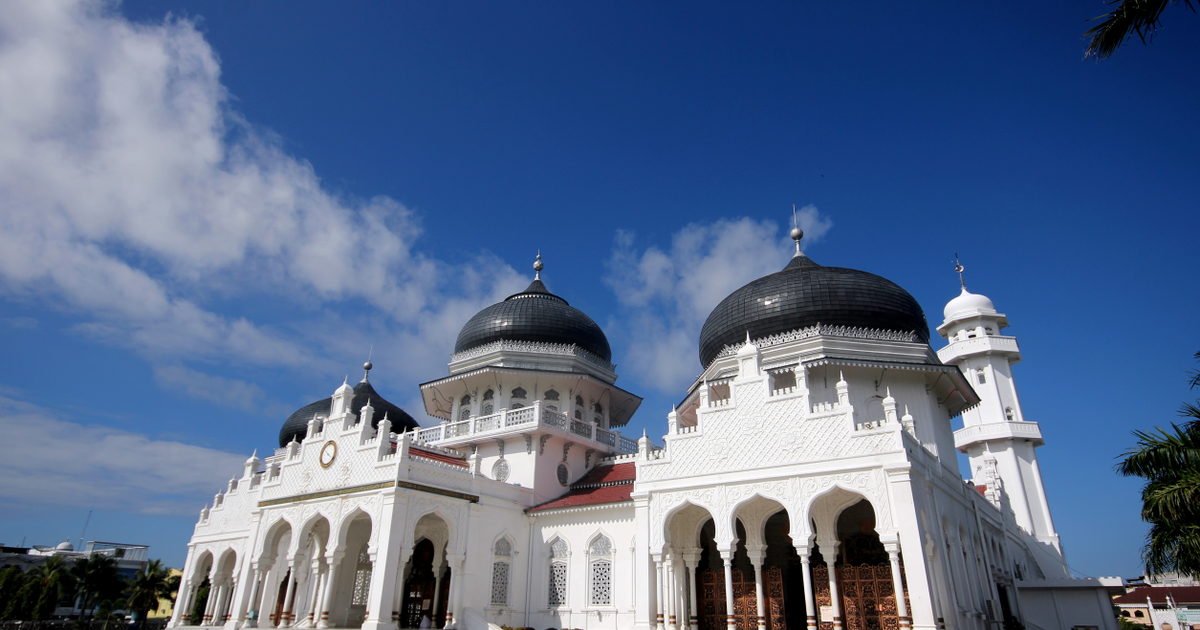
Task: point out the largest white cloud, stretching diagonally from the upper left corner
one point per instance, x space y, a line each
135 197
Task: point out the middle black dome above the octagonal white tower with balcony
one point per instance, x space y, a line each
535 315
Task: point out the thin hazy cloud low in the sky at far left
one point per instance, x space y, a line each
53 463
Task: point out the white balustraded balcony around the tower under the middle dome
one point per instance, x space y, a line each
524 421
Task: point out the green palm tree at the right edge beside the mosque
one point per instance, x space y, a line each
1169 461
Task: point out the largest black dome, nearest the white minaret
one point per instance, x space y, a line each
806 295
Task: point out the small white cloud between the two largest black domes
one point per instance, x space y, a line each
667 295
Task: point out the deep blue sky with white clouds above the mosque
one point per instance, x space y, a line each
213 211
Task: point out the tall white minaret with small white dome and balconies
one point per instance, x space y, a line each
995 434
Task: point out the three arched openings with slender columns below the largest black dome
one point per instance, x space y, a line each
766 583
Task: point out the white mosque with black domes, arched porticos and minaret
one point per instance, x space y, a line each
808 479
